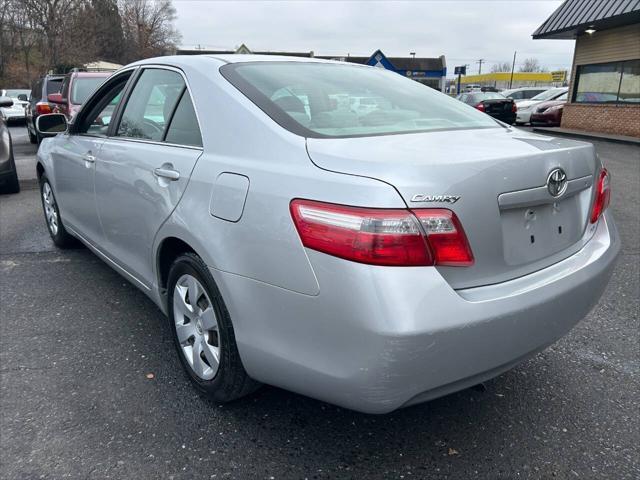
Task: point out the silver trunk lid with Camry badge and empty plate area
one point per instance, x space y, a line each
514 225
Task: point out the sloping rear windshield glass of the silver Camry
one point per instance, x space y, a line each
340 100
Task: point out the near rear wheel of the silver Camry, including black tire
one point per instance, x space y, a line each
228 380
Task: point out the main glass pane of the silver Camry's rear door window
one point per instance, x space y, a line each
151 104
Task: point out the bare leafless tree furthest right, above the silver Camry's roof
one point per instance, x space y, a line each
148 28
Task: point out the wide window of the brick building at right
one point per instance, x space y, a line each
615 82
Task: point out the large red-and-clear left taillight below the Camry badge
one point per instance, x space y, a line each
393 237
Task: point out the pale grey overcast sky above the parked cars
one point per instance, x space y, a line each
462 31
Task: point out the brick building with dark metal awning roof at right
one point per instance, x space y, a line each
604 92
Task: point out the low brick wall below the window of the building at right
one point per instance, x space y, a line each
614 119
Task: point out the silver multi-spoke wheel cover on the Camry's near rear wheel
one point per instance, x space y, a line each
196 327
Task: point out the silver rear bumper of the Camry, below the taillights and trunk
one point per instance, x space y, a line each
378 338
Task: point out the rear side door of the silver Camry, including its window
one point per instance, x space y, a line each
145 165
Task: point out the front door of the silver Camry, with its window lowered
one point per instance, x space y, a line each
74 158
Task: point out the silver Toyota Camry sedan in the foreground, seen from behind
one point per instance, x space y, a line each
372 261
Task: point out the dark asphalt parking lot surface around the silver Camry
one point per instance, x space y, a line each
78 344
